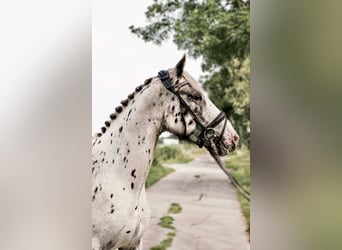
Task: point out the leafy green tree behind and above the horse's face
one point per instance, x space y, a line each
217 31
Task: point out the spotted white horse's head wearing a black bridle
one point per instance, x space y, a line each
192 116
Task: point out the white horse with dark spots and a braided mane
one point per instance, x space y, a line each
122 153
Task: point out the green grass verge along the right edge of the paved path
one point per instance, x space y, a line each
239 165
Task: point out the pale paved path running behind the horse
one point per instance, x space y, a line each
211 217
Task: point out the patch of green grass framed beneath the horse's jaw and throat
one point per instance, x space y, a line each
180 153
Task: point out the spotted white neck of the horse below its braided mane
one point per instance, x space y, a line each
130 139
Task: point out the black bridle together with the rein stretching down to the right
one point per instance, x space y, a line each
208 137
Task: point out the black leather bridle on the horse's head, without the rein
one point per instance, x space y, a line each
208 136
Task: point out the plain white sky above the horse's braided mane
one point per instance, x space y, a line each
121 61
